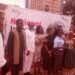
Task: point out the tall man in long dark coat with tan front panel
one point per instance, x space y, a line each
15 47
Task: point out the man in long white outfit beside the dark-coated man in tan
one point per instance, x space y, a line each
30 49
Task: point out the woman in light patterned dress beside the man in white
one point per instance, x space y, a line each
38 44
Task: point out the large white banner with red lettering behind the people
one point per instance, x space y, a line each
35 17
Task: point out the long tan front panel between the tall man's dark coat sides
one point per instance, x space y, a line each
16 47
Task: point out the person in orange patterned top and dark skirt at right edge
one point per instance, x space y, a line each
69 54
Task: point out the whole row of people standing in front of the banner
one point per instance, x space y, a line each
53 50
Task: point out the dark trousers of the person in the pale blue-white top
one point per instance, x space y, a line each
57 61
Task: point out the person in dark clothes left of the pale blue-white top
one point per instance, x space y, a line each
46 52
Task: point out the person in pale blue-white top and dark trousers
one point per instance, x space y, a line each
58 52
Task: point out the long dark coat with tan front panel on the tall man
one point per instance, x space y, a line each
15 47
